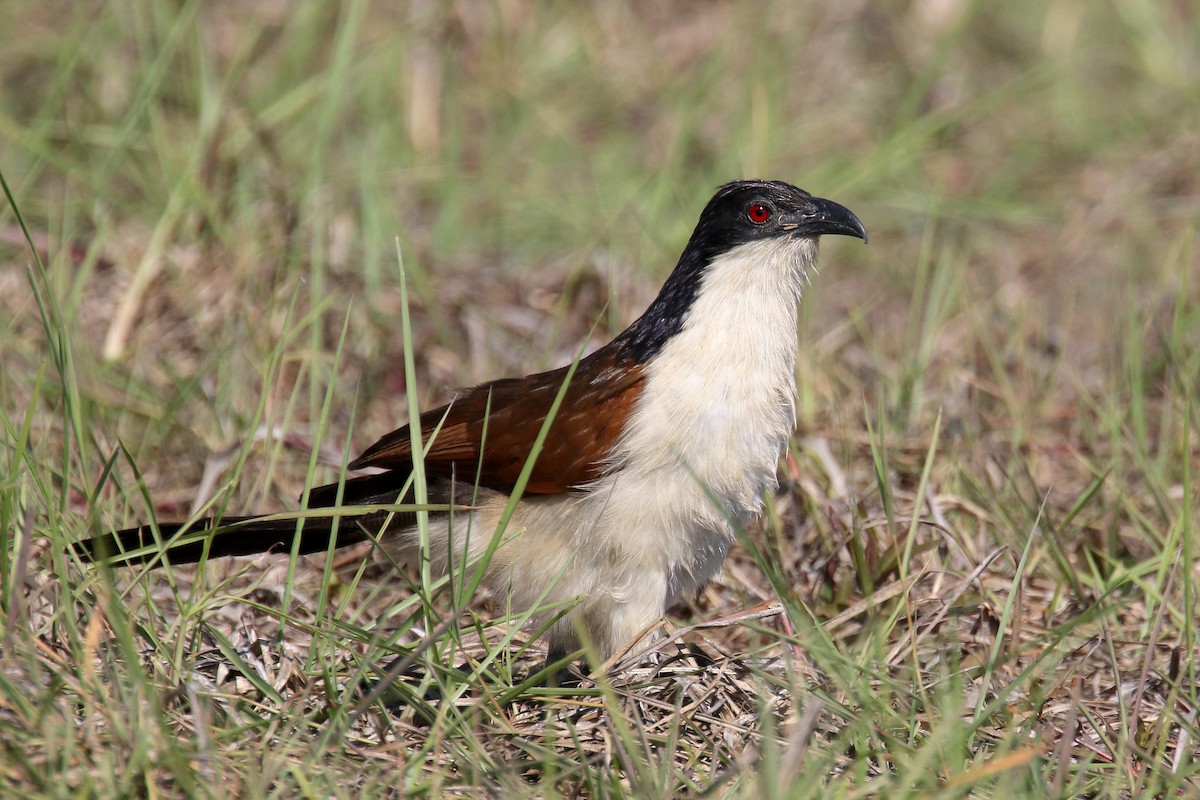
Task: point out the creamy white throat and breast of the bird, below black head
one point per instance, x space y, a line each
719 406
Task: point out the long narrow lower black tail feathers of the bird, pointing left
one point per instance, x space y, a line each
231 537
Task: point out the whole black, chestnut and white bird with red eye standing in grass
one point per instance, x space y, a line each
665 441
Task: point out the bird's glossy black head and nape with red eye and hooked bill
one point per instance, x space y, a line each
741 213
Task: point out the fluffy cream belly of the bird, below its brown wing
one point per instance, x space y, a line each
620 570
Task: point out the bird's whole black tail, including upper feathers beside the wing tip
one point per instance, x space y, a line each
251 536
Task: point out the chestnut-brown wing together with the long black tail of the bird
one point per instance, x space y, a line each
488 431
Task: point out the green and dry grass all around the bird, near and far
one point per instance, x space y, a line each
985 548
